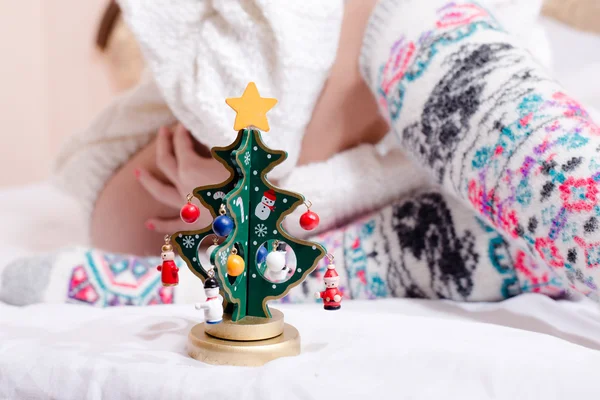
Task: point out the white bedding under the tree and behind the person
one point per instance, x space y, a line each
529 347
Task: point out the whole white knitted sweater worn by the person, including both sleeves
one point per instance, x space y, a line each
201 52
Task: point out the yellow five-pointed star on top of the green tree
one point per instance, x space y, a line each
251 109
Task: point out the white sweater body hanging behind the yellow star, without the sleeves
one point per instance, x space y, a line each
201 52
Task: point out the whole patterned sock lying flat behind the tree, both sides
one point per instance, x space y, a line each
427 245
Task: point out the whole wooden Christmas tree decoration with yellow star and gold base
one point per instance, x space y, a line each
251 333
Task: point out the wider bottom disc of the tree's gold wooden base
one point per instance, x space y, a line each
206 348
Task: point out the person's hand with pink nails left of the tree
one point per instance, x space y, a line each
184 169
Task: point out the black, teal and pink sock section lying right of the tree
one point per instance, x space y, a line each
427 246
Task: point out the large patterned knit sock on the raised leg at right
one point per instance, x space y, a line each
473 108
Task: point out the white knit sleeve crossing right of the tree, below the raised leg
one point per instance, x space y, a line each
351 184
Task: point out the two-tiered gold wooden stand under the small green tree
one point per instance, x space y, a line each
253 341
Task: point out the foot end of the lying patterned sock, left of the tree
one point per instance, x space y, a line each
92 277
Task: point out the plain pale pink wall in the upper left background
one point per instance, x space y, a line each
52 81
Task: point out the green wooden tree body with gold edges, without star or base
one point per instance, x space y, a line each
249 161
